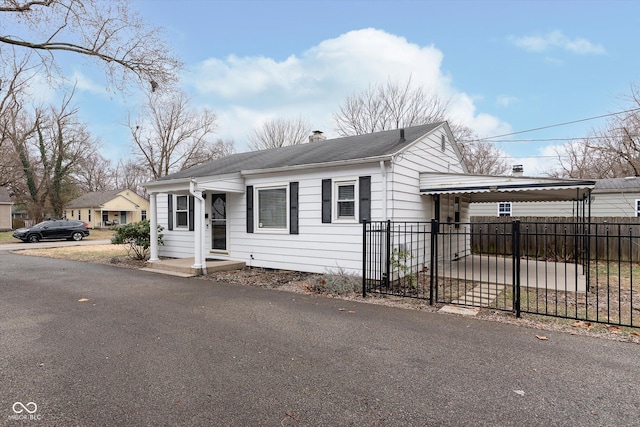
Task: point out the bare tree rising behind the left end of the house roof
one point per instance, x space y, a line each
170 135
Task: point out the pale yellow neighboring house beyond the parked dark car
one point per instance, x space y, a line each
107 208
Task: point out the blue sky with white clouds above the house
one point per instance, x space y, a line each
505 66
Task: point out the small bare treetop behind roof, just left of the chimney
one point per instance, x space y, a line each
278 133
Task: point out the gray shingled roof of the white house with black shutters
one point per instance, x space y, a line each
330 150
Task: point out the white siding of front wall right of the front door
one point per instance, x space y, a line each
318 247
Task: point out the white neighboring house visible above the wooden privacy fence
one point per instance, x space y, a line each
613 197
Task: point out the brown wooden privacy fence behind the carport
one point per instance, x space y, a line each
560 238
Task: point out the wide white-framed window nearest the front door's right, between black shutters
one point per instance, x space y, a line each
272 213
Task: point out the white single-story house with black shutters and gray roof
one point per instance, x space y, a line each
301 207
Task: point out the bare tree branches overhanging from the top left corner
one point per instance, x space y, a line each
107 31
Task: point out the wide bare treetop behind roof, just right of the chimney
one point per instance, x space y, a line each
389 106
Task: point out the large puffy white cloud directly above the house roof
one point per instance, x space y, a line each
245 91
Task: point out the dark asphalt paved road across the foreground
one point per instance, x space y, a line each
151 350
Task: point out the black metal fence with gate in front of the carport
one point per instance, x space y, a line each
579 271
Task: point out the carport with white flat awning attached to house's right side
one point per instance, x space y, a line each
493 267
